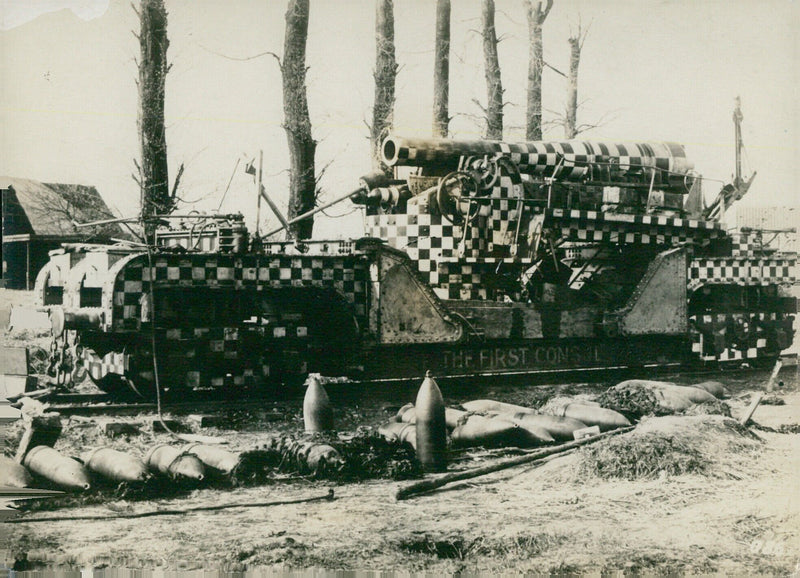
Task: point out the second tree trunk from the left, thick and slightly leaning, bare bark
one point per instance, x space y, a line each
302 147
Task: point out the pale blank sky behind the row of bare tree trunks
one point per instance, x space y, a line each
651 70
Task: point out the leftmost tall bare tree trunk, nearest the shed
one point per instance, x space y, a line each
154 178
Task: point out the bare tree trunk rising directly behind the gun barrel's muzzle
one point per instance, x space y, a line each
385 74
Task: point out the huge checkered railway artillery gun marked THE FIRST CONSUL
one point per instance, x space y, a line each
479 257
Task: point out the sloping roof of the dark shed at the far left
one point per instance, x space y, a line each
50 209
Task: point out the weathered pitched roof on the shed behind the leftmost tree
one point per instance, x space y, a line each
51 208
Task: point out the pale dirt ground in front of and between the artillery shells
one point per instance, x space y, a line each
741 516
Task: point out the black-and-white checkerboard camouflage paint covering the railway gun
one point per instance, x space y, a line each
229 316
